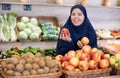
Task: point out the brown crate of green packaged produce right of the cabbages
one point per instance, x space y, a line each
48 22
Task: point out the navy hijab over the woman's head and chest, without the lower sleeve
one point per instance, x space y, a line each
85 29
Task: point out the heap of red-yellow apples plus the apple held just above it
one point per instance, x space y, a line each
85 59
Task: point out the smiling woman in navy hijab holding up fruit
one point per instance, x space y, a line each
79 26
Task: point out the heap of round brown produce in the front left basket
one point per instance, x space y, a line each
29 64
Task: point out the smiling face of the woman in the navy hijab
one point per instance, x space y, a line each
77 17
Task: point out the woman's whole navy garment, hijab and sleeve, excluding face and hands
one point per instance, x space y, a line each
77 32
